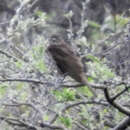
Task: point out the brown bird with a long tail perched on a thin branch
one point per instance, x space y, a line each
67 61
